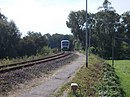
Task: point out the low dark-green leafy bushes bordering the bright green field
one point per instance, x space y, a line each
110 86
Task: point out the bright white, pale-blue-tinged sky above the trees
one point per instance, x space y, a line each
50 16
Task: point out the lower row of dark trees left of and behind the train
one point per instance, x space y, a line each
13 45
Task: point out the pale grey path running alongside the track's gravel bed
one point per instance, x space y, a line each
47 88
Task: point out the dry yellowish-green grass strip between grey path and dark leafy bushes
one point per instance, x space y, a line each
86 78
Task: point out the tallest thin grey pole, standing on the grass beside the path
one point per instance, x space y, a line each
86 37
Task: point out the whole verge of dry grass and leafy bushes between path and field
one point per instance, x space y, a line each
98 80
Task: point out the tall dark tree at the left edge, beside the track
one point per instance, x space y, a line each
9 37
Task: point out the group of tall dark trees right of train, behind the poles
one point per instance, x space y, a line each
106 29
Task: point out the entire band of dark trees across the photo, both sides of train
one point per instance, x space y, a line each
106 29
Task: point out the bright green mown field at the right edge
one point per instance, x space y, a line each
122 68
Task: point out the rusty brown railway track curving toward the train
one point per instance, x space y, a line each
20 65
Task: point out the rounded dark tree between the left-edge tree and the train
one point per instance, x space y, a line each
32 43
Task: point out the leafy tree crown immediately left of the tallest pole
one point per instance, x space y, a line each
76 22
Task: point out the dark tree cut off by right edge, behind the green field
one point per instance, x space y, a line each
123 36
